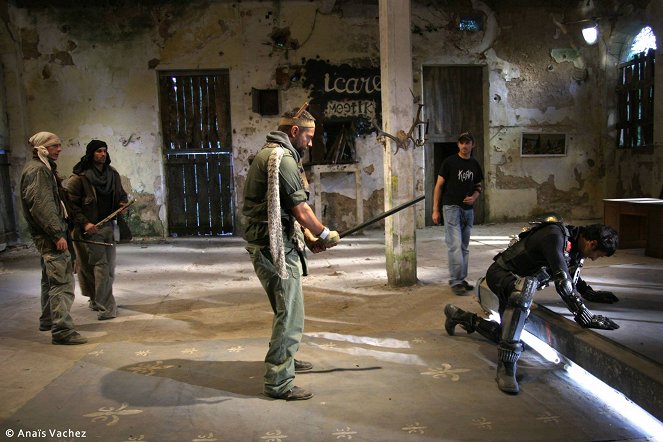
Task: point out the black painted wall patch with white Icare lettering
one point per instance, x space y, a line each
344 93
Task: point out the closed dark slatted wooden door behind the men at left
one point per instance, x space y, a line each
195 118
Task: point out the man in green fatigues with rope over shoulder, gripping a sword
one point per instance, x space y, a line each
280 222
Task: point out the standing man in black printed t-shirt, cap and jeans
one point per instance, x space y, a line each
457 188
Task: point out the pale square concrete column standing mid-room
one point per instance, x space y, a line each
397 114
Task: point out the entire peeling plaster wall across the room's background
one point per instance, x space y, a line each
88 72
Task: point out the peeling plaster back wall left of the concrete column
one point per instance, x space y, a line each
98 65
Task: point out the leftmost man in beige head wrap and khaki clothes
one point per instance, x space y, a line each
45 214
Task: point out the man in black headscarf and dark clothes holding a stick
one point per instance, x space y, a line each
95 191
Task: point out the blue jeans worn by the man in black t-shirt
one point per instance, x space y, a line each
458 224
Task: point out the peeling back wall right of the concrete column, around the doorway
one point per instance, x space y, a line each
541 79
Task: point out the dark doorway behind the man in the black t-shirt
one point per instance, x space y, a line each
453 100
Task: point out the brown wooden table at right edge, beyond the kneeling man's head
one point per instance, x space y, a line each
639 222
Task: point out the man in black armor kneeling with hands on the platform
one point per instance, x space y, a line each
548 252
